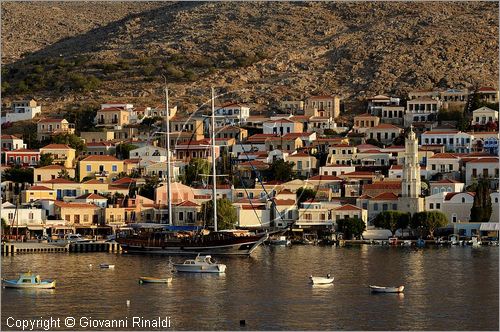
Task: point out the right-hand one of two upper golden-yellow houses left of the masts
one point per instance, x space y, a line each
101 167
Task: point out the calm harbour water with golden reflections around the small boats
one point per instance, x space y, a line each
445 289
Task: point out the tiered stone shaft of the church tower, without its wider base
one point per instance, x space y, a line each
411 169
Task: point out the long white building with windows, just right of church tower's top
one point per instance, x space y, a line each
454 140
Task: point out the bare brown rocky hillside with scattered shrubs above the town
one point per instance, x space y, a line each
266 51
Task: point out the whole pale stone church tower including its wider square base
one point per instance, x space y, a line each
410 200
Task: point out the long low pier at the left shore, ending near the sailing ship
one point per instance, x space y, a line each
13 248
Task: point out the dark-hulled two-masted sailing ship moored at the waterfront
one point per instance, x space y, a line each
154 241
